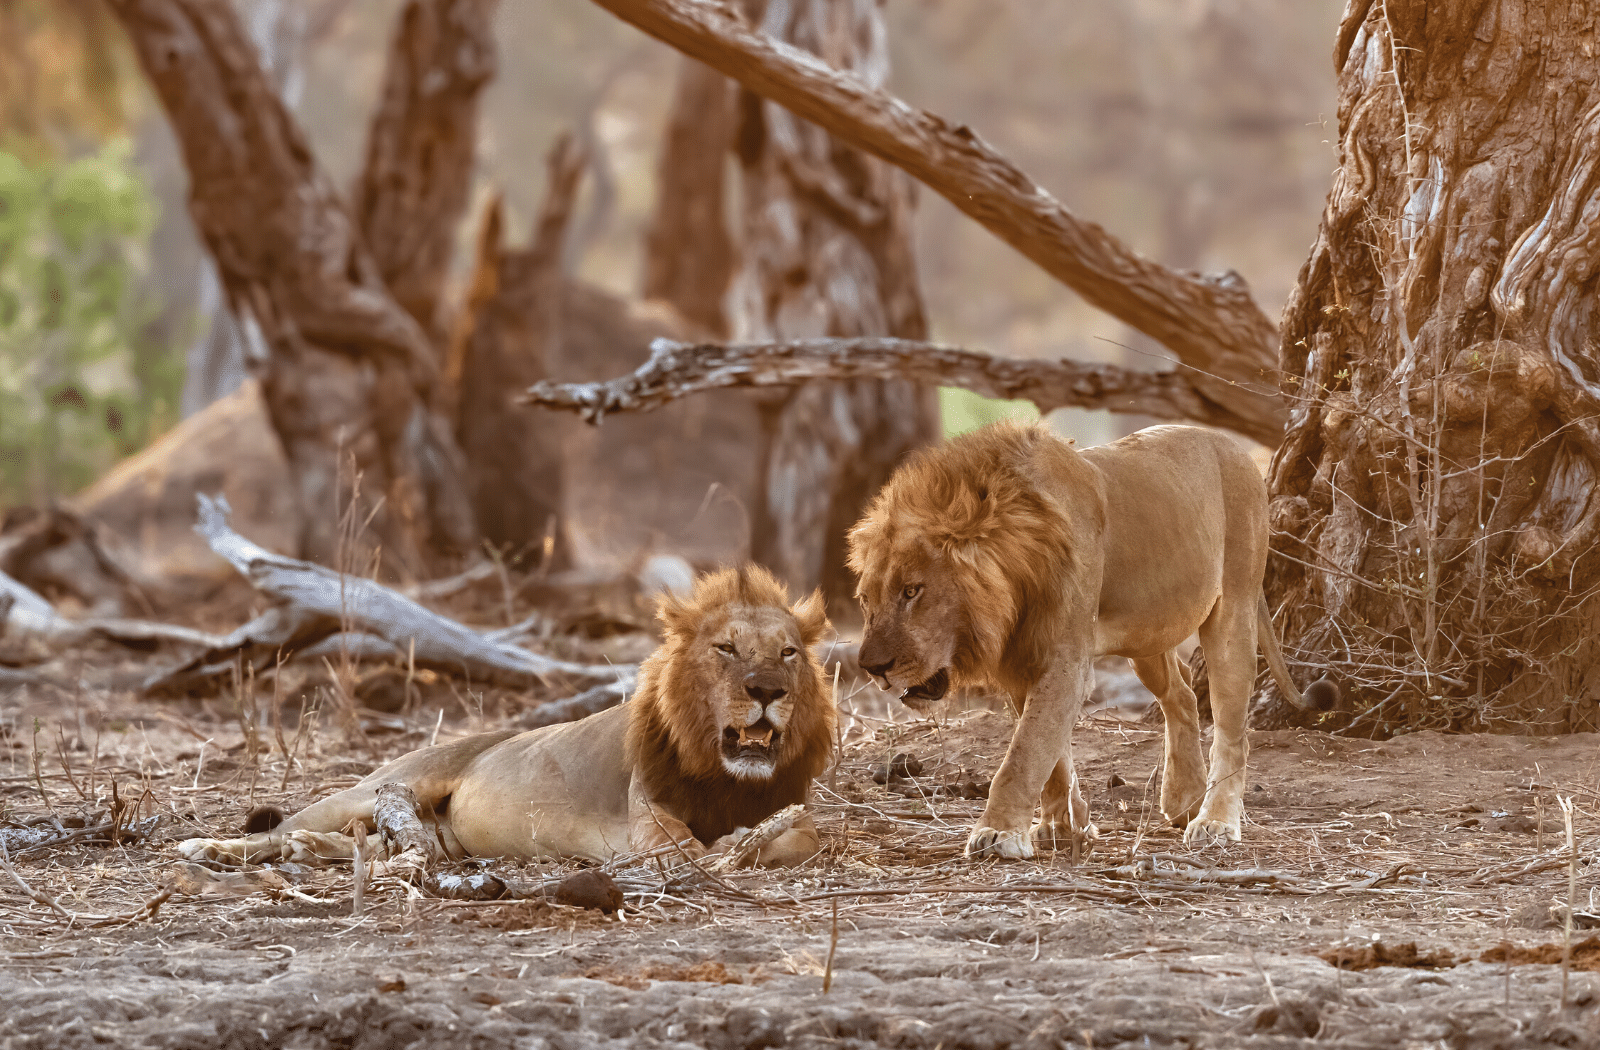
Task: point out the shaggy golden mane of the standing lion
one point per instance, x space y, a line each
1006 543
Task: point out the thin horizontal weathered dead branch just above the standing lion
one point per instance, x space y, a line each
681 369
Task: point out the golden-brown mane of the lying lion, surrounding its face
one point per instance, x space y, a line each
671 737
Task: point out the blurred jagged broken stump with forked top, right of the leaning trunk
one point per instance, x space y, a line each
508 335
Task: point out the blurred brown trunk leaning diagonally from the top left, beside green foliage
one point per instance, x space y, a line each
350 371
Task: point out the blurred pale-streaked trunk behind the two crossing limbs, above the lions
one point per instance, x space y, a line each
826 252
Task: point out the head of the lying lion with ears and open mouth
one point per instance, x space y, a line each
746 687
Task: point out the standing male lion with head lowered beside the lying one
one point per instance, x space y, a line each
1007 558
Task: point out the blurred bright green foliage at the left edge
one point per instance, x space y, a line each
81 380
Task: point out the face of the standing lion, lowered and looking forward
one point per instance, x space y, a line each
918 625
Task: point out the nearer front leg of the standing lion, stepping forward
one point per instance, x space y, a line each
1042 739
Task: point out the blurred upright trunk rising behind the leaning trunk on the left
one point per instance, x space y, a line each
420 150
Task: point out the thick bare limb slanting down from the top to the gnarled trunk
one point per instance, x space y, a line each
1210 323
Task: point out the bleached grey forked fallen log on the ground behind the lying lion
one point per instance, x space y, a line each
316 604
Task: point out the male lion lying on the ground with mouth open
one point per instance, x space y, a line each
730 724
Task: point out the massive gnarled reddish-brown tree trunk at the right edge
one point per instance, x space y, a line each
1434 494
